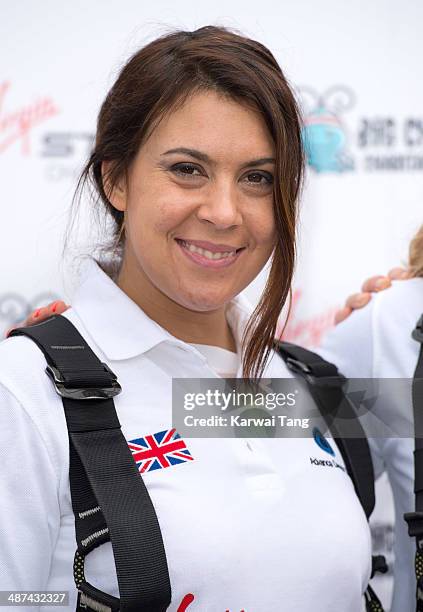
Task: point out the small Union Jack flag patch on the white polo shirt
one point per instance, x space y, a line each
159 450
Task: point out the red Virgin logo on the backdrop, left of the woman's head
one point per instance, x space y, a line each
16 125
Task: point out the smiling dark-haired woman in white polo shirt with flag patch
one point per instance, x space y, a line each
198 160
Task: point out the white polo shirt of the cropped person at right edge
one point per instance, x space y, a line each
376 342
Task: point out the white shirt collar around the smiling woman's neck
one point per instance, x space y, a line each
121 328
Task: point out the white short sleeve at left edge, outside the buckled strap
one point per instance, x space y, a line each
29 508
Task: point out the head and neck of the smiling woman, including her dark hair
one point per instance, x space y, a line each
199 146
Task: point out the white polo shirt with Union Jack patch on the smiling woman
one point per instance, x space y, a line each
247 524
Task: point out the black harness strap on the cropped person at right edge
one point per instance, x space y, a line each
415 519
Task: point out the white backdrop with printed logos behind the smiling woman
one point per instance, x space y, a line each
356 66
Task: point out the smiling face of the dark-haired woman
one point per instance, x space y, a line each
198 204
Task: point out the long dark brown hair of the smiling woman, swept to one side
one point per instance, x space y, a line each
156 80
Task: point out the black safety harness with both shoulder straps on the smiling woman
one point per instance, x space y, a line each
109 498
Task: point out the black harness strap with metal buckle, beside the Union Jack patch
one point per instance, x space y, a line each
109 498
